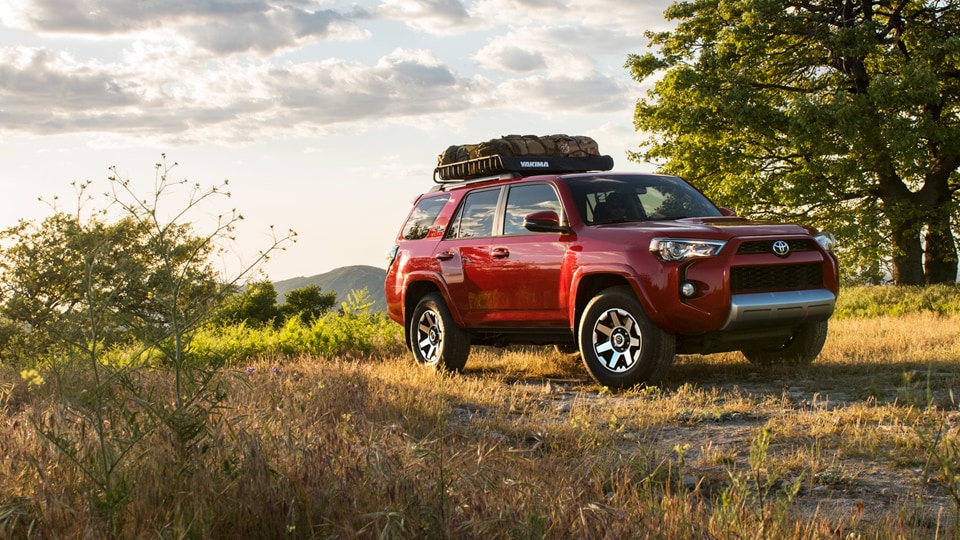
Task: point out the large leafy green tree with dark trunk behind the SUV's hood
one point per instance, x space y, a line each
836 112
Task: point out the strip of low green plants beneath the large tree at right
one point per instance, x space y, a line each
869 302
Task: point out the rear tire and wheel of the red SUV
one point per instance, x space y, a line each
436 341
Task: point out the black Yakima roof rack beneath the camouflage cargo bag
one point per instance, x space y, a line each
489 167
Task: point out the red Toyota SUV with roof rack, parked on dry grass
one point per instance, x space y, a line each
629 268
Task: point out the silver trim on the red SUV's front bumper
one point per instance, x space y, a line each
779 308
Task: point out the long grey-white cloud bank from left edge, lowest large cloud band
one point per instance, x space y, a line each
43 92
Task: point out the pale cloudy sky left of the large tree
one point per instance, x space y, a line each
325 117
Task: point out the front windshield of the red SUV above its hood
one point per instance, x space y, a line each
640 197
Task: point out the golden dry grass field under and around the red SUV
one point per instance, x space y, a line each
524 445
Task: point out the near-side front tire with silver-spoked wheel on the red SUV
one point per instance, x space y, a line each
620 346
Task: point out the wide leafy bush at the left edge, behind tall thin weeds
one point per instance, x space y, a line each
68 282
